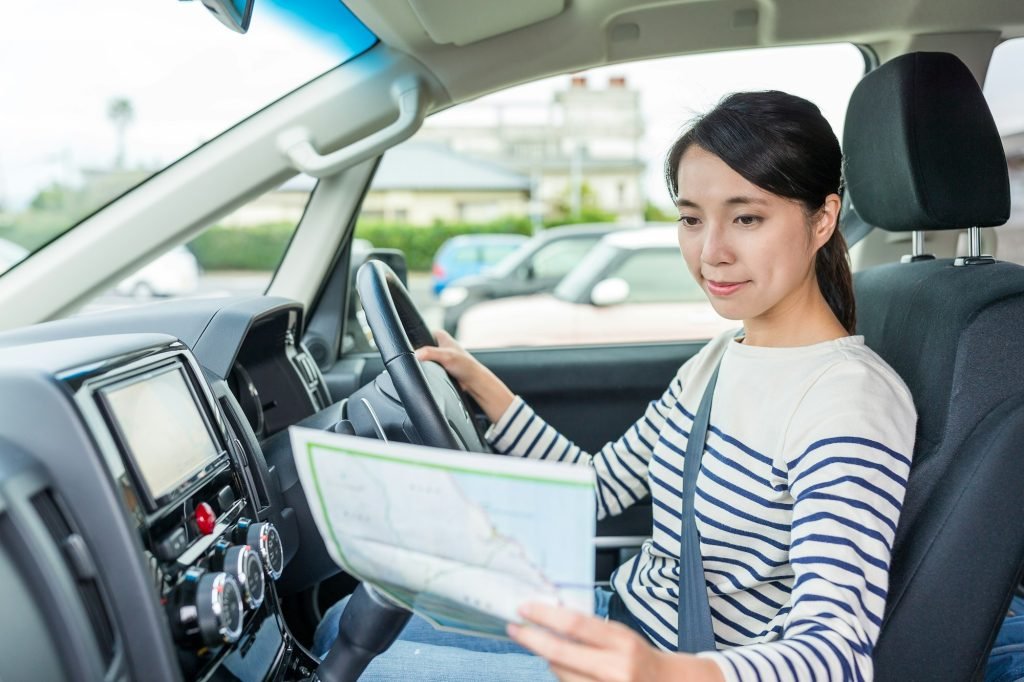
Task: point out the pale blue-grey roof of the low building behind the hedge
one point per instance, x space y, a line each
428 166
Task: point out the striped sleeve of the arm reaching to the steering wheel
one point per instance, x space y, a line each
621 467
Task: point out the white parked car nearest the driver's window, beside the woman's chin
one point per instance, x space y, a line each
632 287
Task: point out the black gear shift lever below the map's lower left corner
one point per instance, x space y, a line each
369 625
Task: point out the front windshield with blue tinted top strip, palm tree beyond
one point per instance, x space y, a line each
99 97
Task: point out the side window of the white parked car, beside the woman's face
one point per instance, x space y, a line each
658 277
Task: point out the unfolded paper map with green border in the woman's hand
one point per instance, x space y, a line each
461 539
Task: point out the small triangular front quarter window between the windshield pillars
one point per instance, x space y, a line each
236 255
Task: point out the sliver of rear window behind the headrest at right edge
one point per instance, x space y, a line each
1006 99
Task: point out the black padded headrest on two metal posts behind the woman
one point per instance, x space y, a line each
921 149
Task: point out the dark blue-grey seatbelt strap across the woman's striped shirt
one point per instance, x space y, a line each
696 633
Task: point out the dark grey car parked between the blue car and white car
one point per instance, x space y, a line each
536 267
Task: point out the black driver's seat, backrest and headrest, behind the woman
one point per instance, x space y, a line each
923 153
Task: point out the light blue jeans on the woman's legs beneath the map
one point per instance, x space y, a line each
421 653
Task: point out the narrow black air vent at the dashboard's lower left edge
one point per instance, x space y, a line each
81 567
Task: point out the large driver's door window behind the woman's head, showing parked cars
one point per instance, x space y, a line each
581 151
